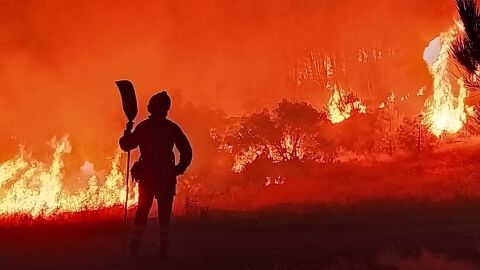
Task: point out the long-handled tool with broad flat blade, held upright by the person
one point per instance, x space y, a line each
129 103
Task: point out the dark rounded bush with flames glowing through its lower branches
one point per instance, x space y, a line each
291 132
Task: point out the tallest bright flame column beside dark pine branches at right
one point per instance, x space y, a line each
444 113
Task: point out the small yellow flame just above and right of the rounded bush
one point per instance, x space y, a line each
339 109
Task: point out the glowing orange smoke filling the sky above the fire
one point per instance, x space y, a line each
58 60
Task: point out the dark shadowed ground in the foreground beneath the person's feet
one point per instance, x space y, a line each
376 235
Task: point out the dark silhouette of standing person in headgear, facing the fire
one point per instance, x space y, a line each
156 171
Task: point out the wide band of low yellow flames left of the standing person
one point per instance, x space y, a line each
32 188
